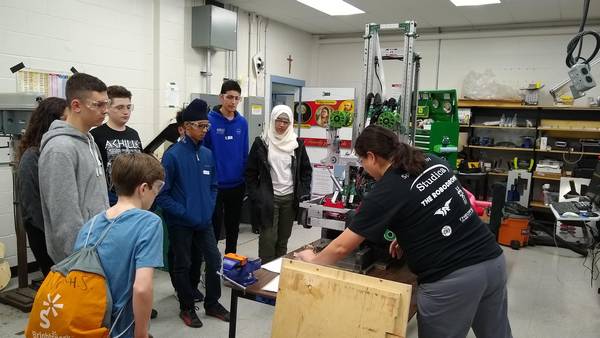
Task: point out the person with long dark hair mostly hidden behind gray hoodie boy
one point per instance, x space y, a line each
50 109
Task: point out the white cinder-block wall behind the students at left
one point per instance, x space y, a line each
140 44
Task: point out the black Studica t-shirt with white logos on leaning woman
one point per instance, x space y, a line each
432 218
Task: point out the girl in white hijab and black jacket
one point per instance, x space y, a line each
278 177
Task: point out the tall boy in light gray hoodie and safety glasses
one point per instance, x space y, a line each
72 181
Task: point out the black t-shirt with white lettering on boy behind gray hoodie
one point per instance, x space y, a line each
112 143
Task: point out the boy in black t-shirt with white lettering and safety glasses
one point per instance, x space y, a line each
114 137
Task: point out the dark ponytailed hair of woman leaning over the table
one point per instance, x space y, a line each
384 143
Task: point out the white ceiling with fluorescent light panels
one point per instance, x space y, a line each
427 13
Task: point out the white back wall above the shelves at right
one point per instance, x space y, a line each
516 58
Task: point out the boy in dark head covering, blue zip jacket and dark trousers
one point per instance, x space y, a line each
188 200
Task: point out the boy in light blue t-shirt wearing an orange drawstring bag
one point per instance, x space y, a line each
132 247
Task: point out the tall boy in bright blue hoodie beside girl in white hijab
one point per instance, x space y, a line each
228 140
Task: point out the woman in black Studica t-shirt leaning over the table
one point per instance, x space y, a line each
460 268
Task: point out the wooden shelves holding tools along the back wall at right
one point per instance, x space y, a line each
503 135
